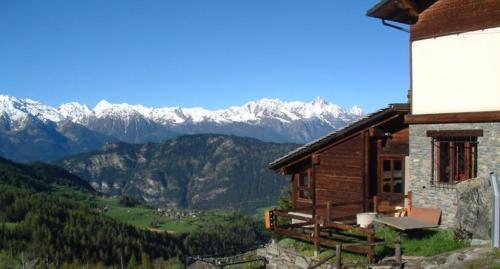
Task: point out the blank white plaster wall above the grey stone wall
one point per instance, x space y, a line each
457 73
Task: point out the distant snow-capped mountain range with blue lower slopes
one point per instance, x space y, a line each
266 119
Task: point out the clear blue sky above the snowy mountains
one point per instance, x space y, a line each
209 53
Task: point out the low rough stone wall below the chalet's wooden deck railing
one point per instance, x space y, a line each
282 258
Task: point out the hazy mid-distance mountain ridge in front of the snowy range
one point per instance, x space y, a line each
202 171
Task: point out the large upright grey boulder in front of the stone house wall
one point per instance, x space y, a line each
474 204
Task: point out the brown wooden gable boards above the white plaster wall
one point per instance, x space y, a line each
455 16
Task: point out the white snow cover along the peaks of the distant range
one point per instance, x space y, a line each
252 112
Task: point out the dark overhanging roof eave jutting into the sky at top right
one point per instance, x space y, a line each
402 11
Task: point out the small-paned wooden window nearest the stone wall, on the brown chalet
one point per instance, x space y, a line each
392 174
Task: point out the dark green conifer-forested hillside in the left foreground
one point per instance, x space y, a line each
41 224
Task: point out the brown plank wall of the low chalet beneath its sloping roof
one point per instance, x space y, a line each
347 169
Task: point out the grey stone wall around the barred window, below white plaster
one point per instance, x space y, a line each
426 195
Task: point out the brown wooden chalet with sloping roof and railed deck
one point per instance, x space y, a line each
338 175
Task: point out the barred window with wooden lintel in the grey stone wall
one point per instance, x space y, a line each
454 156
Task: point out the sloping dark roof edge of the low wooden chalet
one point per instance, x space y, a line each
340 133
